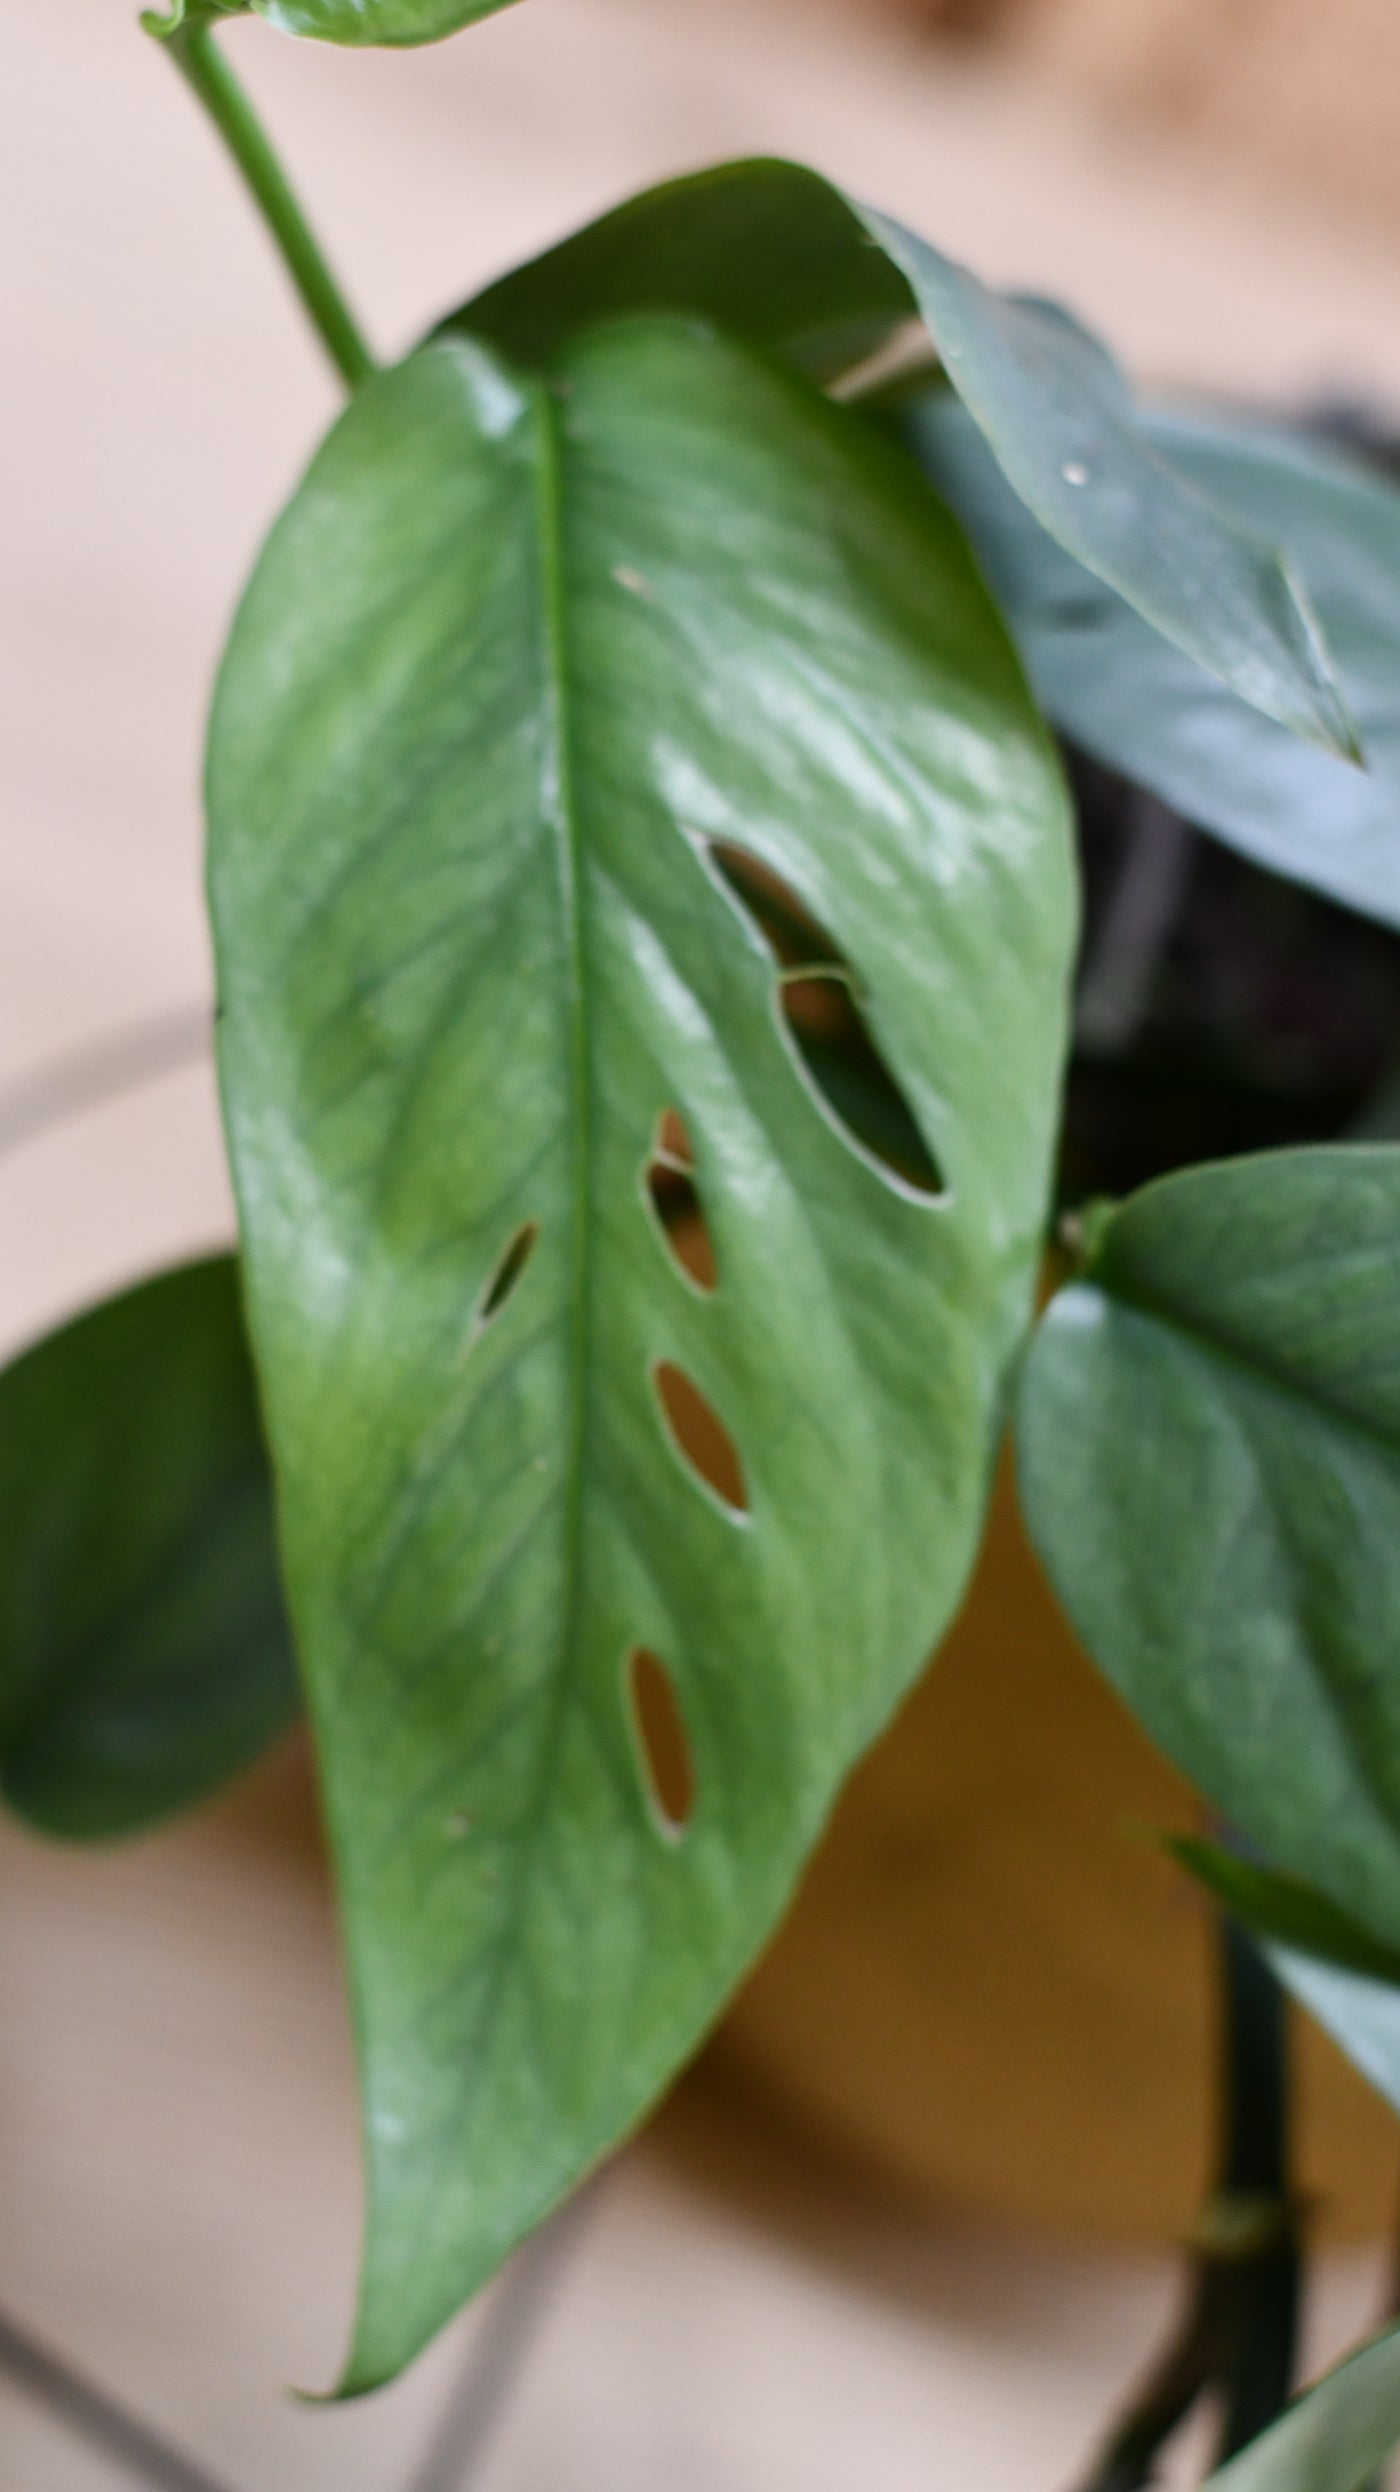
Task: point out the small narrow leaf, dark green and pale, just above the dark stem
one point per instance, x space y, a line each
1329 1962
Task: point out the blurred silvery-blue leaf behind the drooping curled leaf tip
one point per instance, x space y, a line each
1150 711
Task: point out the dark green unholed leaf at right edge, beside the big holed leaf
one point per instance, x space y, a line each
1209 1434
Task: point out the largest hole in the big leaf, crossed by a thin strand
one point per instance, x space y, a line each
821 1006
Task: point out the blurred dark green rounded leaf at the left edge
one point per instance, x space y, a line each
143 1641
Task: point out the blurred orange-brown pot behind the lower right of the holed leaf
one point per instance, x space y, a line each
995 1987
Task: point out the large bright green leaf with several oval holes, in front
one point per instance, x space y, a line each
512 664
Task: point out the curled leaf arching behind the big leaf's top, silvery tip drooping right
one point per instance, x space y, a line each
796 265
